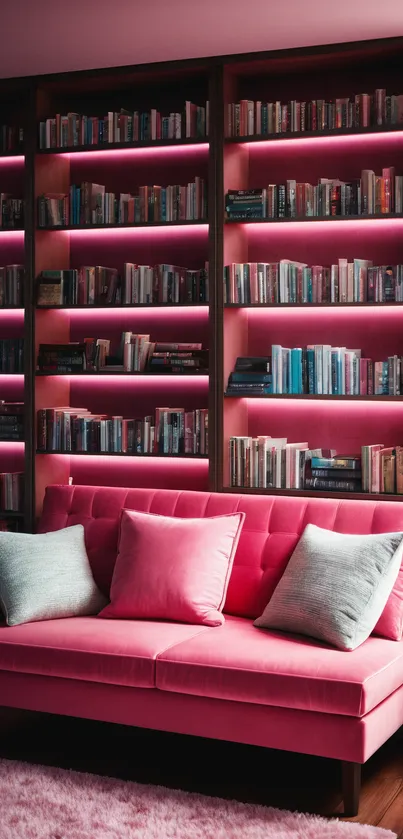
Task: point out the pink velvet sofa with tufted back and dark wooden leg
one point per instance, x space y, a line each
233 682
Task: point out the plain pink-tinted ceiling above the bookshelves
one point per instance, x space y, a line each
45 36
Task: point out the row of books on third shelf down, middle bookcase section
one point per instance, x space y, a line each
138 284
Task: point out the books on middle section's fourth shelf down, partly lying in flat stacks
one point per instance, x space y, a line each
136 354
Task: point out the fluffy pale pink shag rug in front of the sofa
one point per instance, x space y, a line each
39 802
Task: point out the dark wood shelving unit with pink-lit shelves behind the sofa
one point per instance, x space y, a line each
280 75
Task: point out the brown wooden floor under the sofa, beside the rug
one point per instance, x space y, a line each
246 773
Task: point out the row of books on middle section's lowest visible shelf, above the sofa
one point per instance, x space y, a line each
172 431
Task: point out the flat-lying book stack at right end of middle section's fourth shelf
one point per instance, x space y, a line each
189 358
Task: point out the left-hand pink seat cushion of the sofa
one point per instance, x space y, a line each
115 652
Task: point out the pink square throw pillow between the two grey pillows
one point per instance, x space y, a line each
174 569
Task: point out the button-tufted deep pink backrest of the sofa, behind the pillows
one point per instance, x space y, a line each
271 531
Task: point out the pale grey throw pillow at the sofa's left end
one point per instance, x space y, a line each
46 575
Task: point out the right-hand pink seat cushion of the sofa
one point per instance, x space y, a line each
247 664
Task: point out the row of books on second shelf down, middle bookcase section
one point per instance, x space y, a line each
91 204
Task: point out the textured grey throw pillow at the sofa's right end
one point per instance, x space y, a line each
335 586
